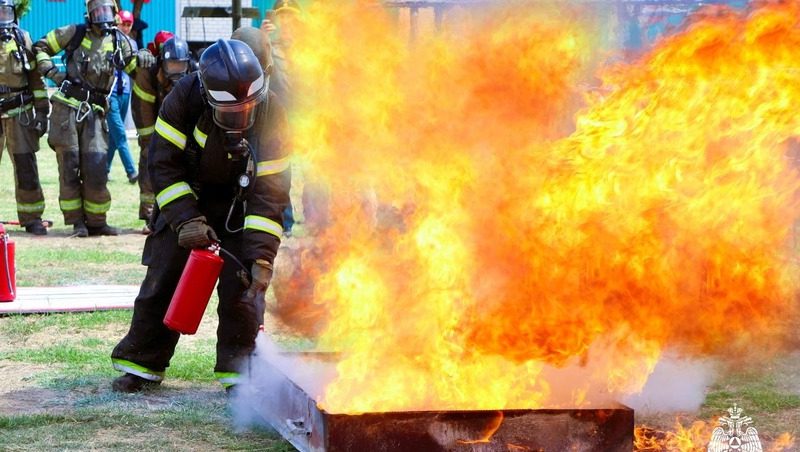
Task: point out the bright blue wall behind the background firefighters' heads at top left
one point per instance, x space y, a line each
46 15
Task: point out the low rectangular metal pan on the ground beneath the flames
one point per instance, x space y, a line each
295 415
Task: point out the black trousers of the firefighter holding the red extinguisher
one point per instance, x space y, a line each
151 344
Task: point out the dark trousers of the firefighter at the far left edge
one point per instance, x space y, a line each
22 145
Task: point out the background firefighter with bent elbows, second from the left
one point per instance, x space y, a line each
78 129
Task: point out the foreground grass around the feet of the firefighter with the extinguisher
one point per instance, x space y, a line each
72 374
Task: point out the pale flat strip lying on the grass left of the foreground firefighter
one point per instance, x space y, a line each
31 300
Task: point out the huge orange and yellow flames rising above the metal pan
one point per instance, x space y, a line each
494 222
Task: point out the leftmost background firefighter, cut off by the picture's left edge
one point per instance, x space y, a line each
23 114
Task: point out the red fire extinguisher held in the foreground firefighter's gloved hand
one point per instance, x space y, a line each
194 289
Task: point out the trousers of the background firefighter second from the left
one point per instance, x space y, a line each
82 151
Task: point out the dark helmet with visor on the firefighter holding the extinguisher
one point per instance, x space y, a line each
233 82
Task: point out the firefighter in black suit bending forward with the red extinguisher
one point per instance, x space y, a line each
216 162
